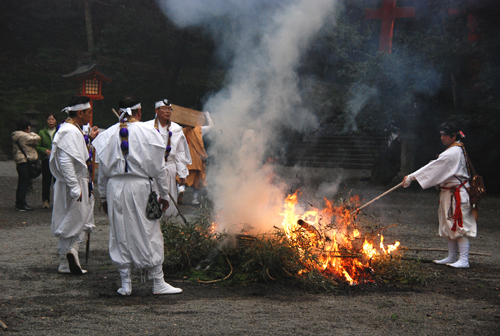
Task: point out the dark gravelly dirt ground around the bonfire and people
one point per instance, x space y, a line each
36 300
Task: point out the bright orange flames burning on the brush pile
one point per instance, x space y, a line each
332 234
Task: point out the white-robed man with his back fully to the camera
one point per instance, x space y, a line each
130 154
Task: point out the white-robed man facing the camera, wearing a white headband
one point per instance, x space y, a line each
177 157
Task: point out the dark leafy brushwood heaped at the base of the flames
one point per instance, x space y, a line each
193 250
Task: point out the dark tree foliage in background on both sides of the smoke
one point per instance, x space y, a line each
434 72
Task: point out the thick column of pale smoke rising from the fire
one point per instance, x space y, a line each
265 40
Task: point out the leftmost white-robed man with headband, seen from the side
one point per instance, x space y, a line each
73 211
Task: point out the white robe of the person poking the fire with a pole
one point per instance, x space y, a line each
446 172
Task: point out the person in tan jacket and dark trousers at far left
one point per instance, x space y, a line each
27 140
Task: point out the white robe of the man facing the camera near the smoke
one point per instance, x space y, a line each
177 162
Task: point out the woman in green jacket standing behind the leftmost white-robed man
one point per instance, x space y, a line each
44 149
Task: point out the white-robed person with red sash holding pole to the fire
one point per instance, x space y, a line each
457 221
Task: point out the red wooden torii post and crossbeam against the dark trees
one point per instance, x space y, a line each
387 13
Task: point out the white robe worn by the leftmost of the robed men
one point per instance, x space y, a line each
68 165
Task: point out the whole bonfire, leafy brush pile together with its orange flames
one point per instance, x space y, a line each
323 248
